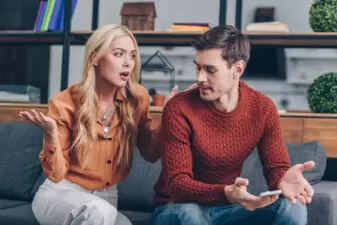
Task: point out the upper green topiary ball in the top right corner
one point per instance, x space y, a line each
323 16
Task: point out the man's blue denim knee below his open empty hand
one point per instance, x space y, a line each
292 214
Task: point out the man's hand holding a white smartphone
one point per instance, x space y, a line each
237 193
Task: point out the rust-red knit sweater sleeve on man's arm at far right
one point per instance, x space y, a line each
272 150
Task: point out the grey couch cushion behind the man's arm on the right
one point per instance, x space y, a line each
298 153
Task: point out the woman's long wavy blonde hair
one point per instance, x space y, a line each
86 115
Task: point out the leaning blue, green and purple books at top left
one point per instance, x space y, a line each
50 16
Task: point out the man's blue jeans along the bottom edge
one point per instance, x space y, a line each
281 212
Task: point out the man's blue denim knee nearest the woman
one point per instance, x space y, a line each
180 214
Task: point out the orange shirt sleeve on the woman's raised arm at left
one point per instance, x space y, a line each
55 158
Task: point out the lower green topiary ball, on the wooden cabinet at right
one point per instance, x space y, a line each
322 94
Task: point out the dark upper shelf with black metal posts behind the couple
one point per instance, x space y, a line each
155 38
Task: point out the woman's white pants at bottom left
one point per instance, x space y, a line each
66 203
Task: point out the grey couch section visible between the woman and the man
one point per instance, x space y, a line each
136 192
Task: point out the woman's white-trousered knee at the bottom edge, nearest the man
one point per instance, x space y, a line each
95 212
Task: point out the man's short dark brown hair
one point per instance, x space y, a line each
234 44
